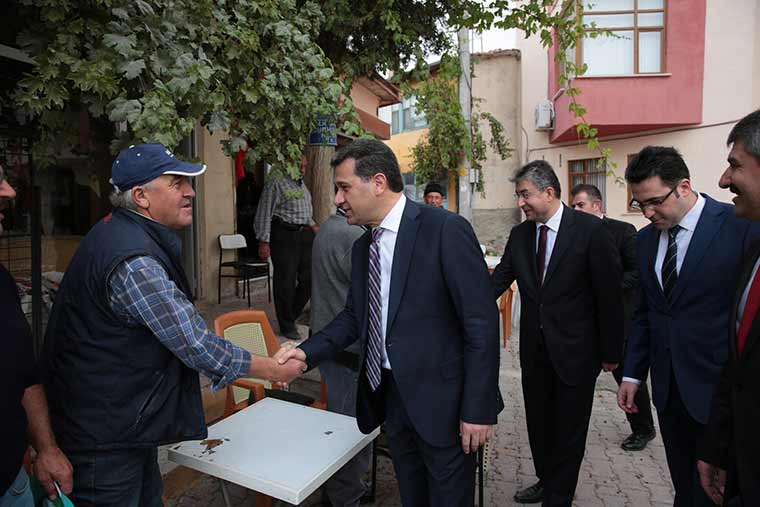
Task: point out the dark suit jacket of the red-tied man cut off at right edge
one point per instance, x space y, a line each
731 439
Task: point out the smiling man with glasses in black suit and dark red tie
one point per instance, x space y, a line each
571 325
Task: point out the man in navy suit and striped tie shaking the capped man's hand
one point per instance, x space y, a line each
421 306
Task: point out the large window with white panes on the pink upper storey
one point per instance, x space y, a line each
638 41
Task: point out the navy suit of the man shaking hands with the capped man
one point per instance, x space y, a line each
442 341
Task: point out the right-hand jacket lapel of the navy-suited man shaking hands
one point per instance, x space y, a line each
402 257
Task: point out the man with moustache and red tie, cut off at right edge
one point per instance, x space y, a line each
731 443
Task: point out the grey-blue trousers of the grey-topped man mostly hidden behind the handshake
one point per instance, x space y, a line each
346 487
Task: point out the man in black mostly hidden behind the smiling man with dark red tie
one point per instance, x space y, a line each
588 198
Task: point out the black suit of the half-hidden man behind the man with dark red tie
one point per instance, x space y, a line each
624 235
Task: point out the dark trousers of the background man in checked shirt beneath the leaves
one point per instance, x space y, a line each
290 247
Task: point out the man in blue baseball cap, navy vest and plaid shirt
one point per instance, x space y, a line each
124 343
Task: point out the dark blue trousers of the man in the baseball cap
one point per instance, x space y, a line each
116 478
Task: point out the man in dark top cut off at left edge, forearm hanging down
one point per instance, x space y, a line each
22 399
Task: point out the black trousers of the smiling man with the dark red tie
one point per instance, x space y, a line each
558 416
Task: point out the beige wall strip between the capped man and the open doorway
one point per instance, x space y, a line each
215 203
